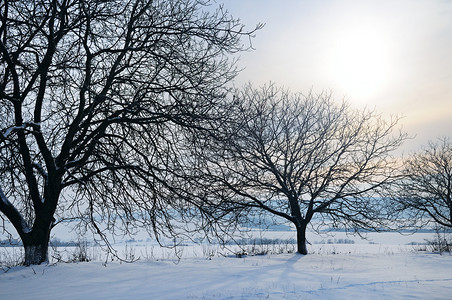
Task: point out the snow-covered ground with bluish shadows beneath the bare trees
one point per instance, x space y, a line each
383 269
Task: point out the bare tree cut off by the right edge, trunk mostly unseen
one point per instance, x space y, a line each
425 192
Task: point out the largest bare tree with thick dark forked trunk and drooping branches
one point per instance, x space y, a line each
94 99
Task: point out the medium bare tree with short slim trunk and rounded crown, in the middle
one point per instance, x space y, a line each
304 158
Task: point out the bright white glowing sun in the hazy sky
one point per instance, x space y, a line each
360 63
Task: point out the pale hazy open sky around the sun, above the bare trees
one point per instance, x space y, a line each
394 56
